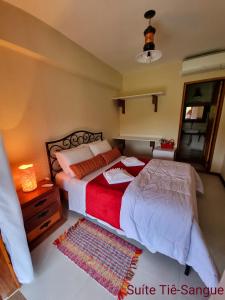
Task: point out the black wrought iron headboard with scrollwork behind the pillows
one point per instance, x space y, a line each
72 140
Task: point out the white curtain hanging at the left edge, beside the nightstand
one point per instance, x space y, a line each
11 223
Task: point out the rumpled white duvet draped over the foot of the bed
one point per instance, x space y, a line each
158 210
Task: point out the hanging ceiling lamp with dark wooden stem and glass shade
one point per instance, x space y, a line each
149 53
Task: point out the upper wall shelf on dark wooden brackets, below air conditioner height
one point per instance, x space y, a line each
120 100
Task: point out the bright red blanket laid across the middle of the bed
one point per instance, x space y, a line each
103 200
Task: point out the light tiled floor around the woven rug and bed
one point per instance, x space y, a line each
57 278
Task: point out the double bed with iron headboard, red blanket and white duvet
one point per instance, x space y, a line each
158 208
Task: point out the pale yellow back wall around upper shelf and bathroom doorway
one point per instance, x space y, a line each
140 118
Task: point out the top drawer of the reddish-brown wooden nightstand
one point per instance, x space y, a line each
39 204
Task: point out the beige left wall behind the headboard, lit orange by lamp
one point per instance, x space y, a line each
49 87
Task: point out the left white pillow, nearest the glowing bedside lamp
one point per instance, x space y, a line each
72 156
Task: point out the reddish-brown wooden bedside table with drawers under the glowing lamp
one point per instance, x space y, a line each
41 209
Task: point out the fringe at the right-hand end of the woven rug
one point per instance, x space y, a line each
129 276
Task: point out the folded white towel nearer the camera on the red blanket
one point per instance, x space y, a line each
117 175
